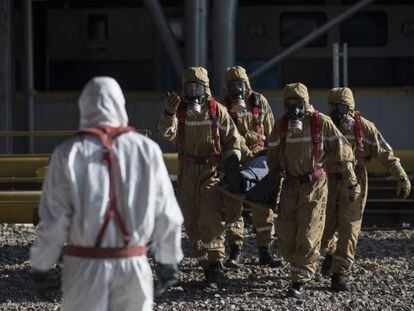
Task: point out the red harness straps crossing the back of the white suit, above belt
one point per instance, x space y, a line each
107 136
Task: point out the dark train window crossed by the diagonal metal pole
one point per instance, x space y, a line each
295 26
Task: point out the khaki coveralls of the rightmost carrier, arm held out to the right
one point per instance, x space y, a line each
343 216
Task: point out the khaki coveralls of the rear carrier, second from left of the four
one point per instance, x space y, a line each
252 144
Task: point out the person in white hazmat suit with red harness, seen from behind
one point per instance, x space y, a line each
106 201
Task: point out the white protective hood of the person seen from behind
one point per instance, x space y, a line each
102 103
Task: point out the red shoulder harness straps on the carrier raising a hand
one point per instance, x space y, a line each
213 113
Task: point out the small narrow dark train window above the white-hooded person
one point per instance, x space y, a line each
98 32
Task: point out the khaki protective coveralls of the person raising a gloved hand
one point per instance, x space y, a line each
198 184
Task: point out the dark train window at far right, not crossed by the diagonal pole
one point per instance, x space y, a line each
365 29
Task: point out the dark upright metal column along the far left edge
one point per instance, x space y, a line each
5 74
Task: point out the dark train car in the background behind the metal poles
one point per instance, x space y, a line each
120 37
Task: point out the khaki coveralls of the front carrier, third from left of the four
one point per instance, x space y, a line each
302 205
